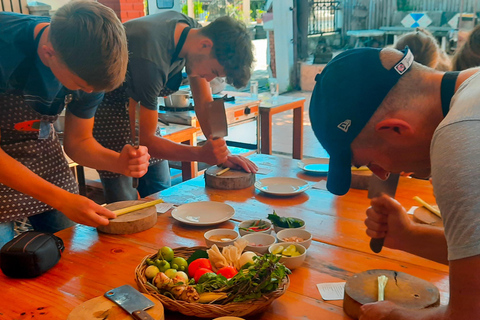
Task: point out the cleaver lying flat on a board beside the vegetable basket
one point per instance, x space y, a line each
132 301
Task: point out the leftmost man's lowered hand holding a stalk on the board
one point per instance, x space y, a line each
83 210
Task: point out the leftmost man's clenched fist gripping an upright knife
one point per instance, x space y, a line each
134 162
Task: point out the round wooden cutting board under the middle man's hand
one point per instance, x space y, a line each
230 180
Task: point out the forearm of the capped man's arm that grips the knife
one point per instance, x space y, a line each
426 241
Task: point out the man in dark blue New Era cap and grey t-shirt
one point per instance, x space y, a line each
401 116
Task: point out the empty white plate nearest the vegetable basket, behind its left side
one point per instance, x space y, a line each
203 213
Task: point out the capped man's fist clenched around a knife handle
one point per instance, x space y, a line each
386 218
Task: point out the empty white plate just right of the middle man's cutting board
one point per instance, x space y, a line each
282 186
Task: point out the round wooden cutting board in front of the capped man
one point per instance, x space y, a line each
403 289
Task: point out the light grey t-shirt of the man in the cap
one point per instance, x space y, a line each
455 160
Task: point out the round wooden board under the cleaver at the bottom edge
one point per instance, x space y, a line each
100 308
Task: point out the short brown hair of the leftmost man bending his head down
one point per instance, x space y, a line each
91 41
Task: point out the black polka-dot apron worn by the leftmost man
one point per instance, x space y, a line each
29 137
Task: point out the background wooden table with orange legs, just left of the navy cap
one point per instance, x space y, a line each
275 105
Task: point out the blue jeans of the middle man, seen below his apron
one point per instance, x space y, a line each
156 179
